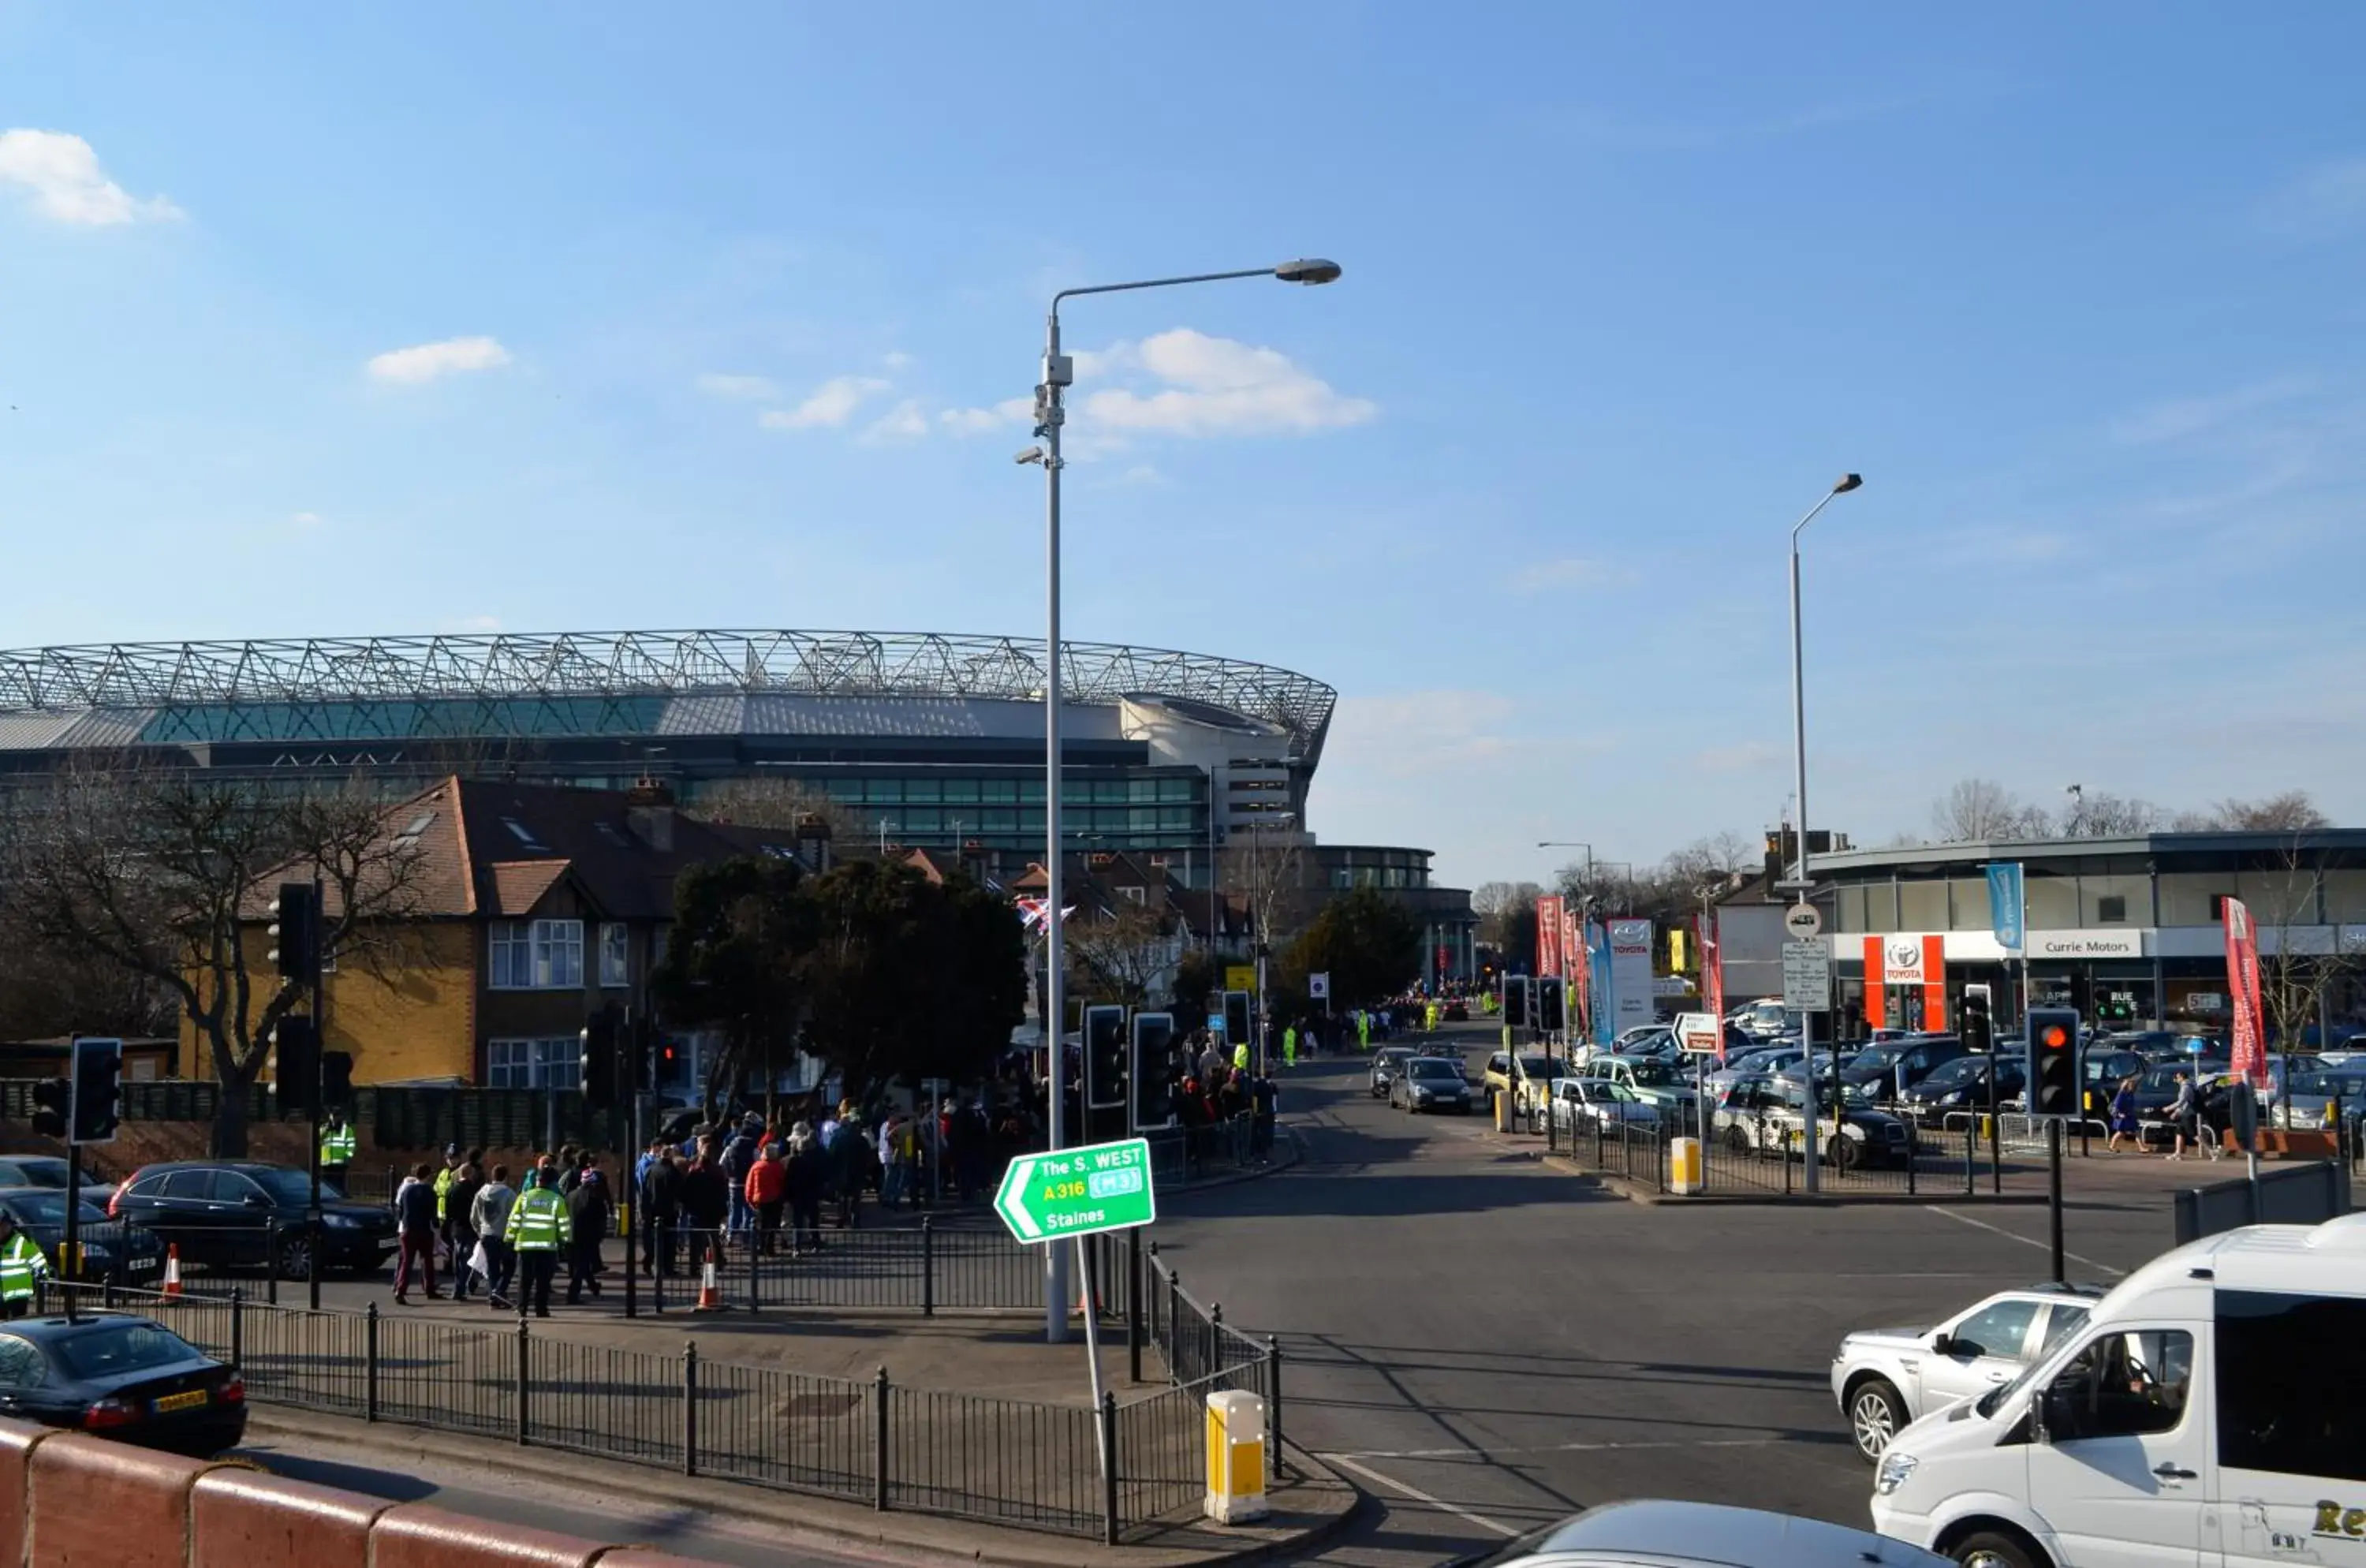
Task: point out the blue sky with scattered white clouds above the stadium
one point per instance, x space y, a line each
446 318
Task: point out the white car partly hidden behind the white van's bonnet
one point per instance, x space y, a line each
1892 1378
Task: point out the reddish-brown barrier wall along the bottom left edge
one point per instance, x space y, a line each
77 1503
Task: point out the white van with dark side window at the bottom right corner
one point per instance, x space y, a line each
2211 1413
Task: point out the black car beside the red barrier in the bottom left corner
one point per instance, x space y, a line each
119 1378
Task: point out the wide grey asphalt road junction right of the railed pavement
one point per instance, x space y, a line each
1485 1345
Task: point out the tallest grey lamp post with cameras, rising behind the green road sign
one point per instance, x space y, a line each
1059 375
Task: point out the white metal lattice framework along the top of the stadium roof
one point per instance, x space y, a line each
647 666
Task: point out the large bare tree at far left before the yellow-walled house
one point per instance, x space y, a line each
167 876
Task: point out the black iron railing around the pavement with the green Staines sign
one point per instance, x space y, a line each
929 1451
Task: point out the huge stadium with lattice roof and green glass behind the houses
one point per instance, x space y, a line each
933 741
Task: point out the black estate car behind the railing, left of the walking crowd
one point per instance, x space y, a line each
245 1212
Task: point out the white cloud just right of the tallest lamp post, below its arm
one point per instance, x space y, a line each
1215 387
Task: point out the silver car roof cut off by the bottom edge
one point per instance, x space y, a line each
1653 1534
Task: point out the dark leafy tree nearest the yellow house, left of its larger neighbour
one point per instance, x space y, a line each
742 933
